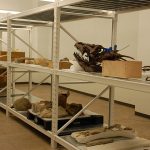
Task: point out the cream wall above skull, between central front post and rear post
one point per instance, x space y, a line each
88 31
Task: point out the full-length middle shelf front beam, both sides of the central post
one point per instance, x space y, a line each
133 84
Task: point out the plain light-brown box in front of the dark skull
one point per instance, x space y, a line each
122 69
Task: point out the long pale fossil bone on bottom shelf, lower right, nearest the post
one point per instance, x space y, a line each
103 133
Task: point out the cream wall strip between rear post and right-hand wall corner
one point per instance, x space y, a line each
128 33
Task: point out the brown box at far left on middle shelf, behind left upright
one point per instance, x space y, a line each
14 55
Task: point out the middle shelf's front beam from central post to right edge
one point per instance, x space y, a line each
132 84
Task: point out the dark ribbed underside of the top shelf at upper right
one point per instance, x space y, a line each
114 5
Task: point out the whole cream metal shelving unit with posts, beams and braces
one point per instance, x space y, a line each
52 15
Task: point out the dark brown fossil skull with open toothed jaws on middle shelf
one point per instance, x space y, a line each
90 56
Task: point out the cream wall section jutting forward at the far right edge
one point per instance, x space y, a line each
143 54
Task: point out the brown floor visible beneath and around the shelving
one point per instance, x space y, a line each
16 135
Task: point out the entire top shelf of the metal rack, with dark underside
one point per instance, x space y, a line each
79 9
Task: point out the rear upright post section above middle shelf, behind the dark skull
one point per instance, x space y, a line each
114 31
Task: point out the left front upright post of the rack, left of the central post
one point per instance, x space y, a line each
8 67
